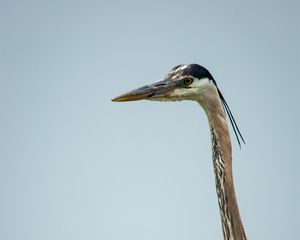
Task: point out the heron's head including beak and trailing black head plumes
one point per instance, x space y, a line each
184 82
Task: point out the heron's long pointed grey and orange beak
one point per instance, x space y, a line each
156 91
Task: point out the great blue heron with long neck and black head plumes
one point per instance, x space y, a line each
194 82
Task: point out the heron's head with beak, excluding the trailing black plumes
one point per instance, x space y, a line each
183 82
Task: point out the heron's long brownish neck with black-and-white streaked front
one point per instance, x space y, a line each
232 225
